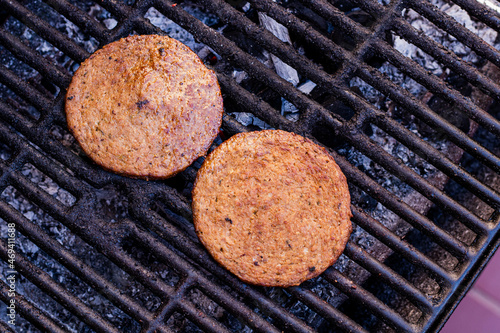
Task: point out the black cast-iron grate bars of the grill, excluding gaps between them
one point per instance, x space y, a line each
249 303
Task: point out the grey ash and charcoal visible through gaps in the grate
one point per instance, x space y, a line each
115 207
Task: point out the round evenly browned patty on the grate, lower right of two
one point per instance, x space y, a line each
272 207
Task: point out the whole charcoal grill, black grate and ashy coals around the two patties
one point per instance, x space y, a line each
85 250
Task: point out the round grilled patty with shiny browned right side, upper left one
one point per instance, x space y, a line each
144 106
